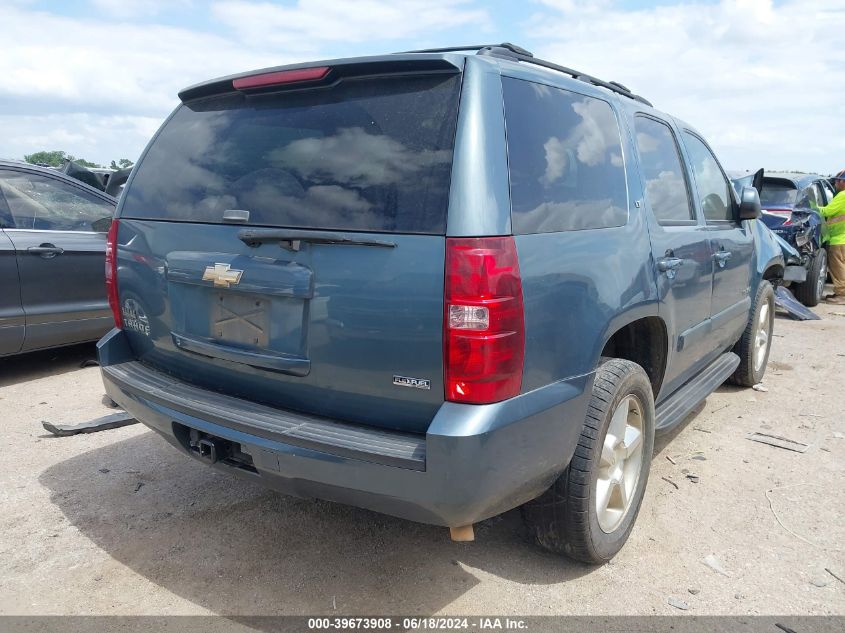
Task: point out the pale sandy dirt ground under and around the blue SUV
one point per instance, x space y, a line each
119 523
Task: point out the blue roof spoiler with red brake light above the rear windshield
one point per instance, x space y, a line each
299 76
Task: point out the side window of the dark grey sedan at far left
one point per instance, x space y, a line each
39 202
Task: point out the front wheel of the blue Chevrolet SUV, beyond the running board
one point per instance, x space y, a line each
753 356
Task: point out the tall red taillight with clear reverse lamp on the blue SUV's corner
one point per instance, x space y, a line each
484 324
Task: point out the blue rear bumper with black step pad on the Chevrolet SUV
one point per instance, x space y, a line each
474 462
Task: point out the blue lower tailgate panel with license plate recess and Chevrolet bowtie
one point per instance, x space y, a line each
322 330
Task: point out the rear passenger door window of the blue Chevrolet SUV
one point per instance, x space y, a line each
660 163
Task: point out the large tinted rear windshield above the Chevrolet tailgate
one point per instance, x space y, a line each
364 155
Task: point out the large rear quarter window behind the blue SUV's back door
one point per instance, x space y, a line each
565 160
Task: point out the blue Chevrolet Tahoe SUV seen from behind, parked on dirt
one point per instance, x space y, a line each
438 284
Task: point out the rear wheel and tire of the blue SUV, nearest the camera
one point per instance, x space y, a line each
566 518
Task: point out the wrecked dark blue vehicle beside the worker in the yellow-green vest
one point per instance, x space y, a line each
787 200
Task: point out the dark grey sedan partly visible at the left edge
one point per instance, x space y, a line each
52 245
